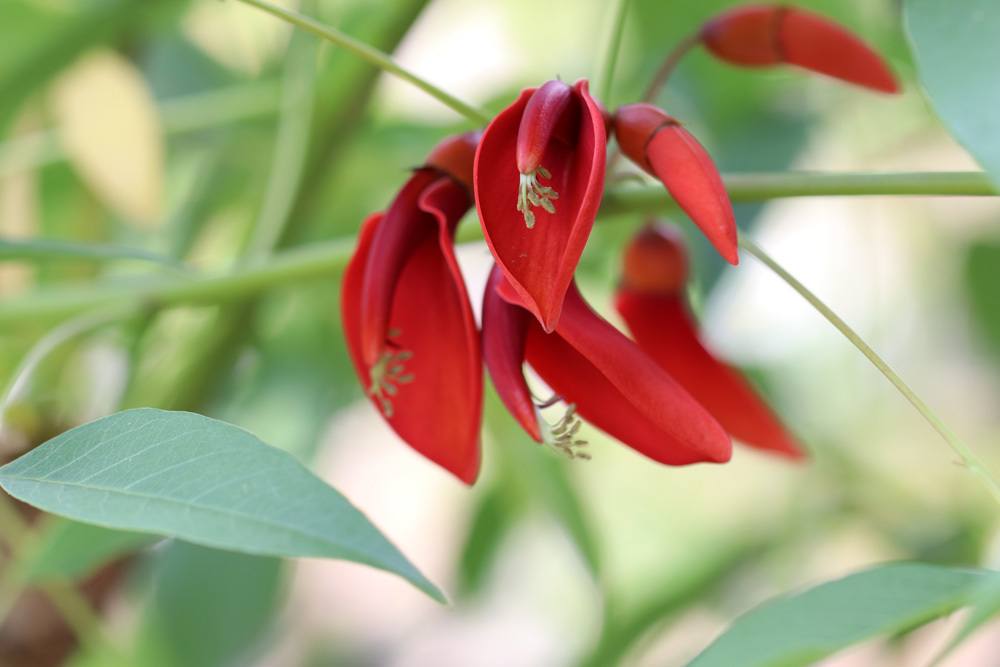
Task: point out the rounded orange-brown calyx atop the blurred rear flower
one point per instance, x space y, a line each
655 261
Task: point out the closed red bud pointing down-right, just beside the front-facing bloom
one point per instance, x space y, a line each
660 145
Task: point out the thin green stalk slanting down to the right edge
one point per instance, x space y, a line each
968 457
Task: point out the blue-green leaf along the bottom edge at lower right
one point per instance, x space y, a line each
804 628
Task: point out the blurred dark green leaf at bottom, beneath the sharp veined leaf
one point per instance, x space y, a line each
208 608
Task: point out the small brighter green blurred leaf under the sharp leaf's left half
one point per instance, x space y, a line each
70 550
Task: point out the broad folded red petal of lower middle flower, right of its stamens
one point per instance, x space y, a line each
621 390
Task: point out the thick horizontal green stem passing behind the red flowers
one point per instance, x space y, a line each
327 259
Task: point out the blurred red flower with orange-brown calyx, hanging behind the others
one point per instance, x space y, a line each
651 299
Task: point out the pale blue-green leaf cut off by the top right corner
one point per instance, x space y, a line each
956 49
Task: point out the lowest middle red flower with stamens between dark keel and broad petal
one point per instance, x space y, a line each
601 374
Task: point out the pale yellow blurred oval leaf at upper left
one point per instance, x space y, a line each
109 125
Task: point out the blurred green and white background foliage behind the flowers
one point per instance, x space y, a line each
207 132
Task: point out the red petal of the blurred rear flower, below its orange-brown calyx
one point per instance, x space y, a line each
664 329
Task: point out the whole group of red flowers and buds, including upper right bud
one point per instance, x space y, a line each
536 178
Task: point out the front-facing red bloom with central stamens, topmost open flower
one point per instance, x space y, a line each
539 177
